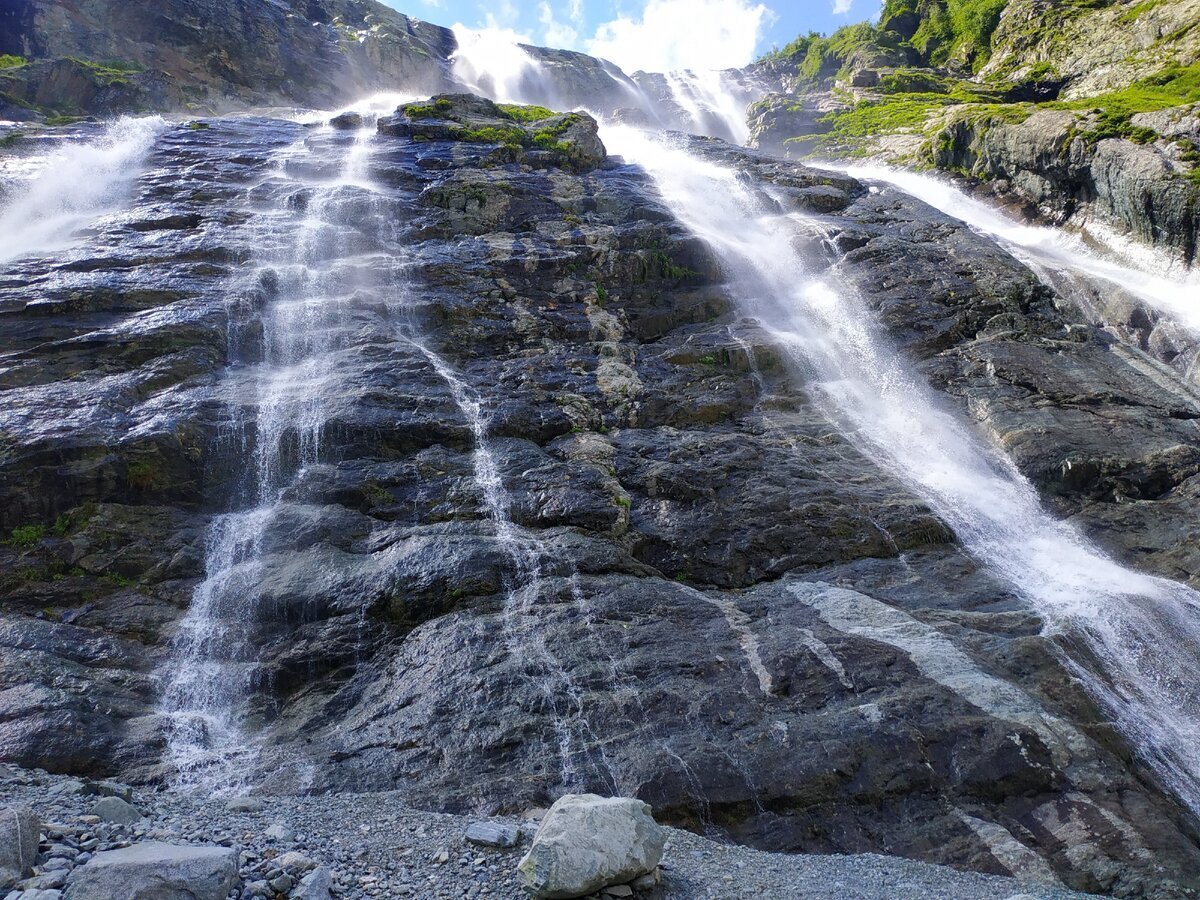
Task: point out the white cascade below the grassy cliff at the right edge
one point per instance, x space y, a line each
1052 253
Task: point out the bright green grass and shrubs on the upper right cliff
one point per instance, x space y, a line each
931 55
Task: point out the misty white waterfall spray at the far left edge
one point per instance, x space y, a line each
50 197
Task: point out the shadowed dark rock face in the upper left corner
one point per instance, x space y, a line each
218 55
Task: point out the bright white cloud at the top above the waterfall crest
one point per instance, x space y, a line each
683 34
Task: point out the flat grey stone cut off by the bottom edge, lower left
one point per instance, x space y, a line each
157 872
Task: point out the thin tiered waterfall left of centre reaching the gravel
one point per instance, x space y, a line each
321 242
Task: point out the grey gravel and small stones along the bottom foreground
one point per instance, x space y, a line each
375 847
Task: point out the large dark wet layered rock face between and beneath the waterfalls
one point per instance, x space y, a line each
691 587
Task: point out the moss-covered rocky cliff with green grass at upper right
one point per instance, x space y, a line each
1078 111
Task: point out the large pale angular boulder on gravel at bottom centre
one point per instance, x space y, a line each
587 843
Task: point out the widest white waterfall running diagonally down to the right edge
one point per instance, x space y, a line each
1136 631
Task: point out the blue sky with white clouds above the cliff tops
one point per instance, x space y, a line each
651 34
